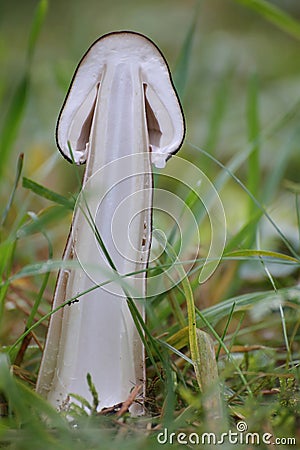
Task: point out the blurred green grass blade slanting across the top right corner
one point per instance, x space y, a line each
275 15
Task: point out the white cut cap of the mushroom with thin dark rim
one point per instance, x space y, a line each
163 112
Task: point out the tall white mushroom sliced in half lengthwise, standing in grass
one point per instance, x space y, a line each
121 113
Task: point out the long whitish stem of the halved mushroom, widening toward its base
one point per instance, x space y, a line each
97 334
